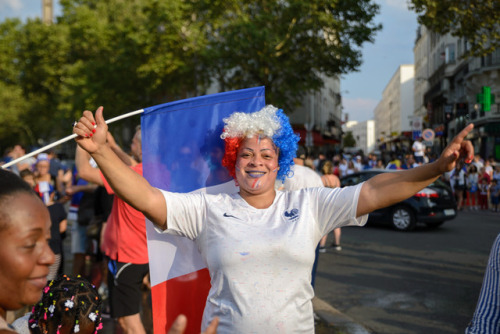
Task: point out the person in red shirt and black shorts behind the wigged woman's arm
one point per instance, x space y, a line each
124 241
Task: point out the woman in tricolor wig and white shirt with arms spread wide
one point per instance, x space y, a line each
259 243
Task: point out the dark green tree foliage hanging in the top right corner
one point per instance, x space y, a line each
477 21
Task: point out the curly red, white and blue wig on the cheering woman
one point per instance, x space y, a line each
269 122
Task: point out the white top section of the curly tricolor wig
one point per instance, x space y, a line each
262 122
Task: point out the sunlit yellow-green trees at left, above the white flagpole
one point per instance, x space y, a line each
124 55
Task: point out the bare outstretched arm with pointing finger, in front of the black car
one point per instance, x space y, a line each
389 188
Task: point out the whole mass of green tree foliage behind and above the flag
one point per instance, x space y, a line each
126 55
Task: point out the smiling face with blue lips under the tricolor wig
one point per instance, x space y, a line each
257 165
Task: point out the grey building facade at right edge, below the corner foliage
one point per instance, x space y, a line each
454 91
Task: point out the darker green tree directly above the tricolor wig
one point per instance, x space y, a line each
286 45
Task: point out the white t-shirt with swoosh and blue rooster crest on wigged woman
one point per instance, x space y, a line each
260 260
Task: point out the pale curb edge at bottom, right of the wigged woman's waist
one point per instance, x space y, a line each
333 317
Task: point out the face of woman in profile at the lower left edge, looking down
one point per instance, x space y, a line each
25 255
